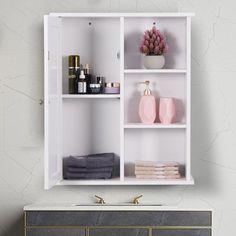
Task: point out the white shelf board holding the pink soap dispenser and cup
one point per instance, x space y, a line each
154 126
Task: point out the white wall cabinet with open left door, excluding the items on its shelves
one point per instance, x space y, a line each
83 124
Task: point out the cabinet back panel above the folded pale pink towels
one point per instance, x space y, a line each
154 145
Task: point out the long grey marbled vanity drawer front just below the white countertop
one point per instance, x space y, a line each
118 218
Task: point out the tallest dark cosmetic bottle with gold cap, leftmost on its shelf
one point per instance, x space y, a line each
74 67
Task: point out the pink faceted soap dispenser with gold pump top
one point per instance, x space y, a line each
147 106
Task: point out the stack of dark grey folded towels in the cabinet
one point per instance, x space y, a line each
95 166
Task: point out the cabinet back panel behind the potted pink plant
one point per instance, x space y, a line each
173 28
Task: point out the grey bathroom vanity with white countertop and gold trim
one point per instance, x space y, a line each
129 220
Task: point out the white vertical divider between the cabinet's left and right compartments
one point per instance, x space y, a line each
122 139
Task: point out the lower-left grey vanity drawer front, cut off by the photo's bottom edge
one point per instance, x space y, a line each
55 232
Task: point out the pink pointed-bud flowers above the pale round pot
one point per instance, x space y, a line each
153 42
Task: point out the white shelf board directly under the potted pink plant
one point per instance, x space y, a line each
152 71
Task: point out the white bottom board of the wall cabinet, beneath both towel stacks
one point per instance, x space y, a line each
128 181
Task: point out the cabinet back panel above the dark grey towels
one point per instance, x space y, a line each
90 126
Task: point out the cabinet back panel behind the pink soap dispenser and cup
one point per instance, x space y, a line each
162 86
